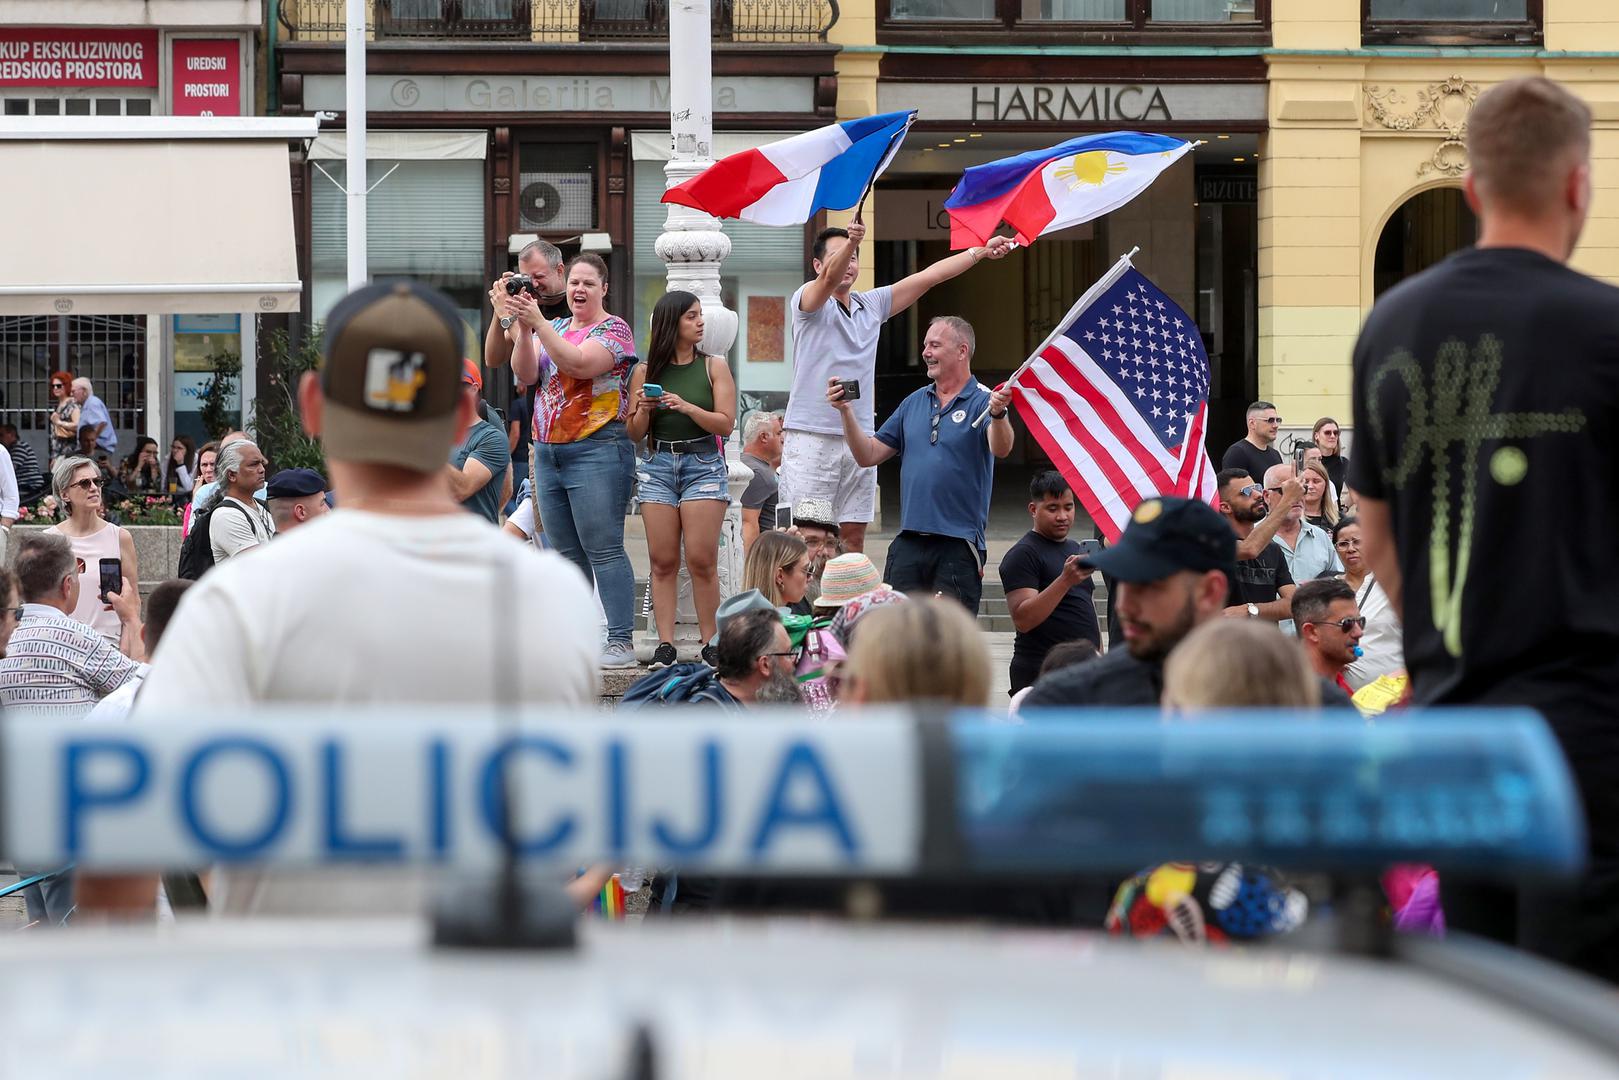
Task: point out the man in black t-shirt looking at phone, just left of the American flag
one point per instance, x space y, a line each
1048 590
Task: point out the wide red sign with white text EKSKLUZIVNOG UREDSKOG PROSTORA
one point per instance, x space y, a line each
77 57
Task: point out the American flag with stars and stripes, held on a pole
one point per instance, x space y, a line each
1120 399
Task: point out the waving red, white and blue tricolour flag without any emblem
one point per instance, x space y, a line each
789 182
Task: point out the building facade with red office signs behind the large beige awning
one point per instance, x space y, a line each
124 59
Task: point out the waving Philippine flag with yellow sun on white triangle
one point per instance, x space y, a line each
1066 185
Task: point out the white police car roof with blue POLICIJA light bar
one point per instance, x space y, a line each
878 797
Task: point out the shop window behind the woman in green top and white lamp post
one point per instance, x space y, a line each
757 281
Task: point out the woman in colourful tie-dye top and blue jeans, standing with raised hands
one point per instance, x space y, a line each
584 459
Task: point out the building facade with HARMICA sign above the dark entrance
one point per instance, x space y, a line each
995 79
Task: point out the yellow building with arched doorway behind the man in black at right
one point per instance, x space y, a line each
1362 168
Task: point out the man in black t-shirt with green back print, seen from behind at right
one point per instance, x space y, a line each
1487 393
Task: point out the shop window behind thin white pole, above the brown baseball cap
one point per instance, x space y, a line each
425 223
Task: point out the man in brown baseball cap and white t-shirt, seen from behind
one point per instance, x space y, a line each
396 600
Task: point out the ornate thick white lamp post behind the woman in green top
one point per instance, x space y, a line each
694 247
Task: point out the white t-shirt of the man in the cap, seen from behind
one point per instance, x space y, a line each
360 608
